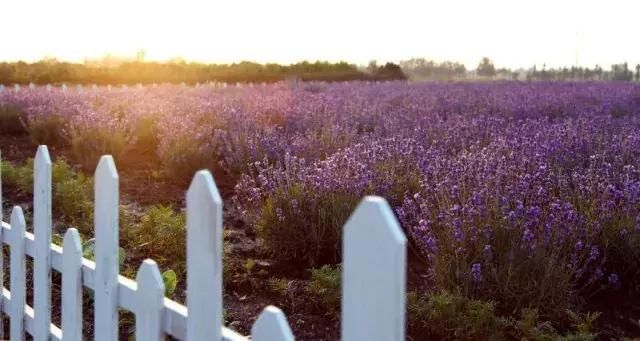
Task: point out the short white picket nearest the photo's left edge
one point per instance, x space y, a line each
17 273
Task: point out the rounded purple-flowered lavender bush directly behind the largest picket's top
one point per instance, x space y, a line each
299 209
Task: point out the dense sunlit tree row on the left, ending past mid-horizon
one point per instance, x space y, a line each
132 72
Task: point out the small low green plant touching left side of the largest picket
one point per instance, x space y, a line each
325 285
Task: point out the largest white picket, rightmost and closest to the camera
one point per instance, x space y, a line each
374 274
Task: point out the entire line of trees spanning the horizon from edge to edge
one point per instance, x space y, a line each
51 71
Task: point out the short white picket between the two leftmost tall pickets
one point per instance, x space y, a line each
72 286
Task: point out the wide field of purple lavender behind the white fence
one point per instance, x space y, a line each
521 200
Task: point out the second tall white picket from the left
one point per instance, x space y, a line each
106 250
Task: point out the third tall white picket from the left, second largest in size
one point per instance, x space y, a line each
204 259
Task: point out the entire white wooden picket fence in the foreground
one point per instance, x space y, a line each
374 272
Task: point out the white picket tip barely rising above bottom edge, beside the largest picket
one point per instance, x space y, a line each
271 325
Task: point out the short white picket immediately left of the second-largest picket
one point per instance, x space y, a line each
150 302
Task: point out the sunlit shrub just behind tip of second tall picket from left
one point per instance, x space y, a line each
88 145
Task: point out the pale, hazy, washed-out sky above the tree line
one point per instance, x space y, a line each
513 33
